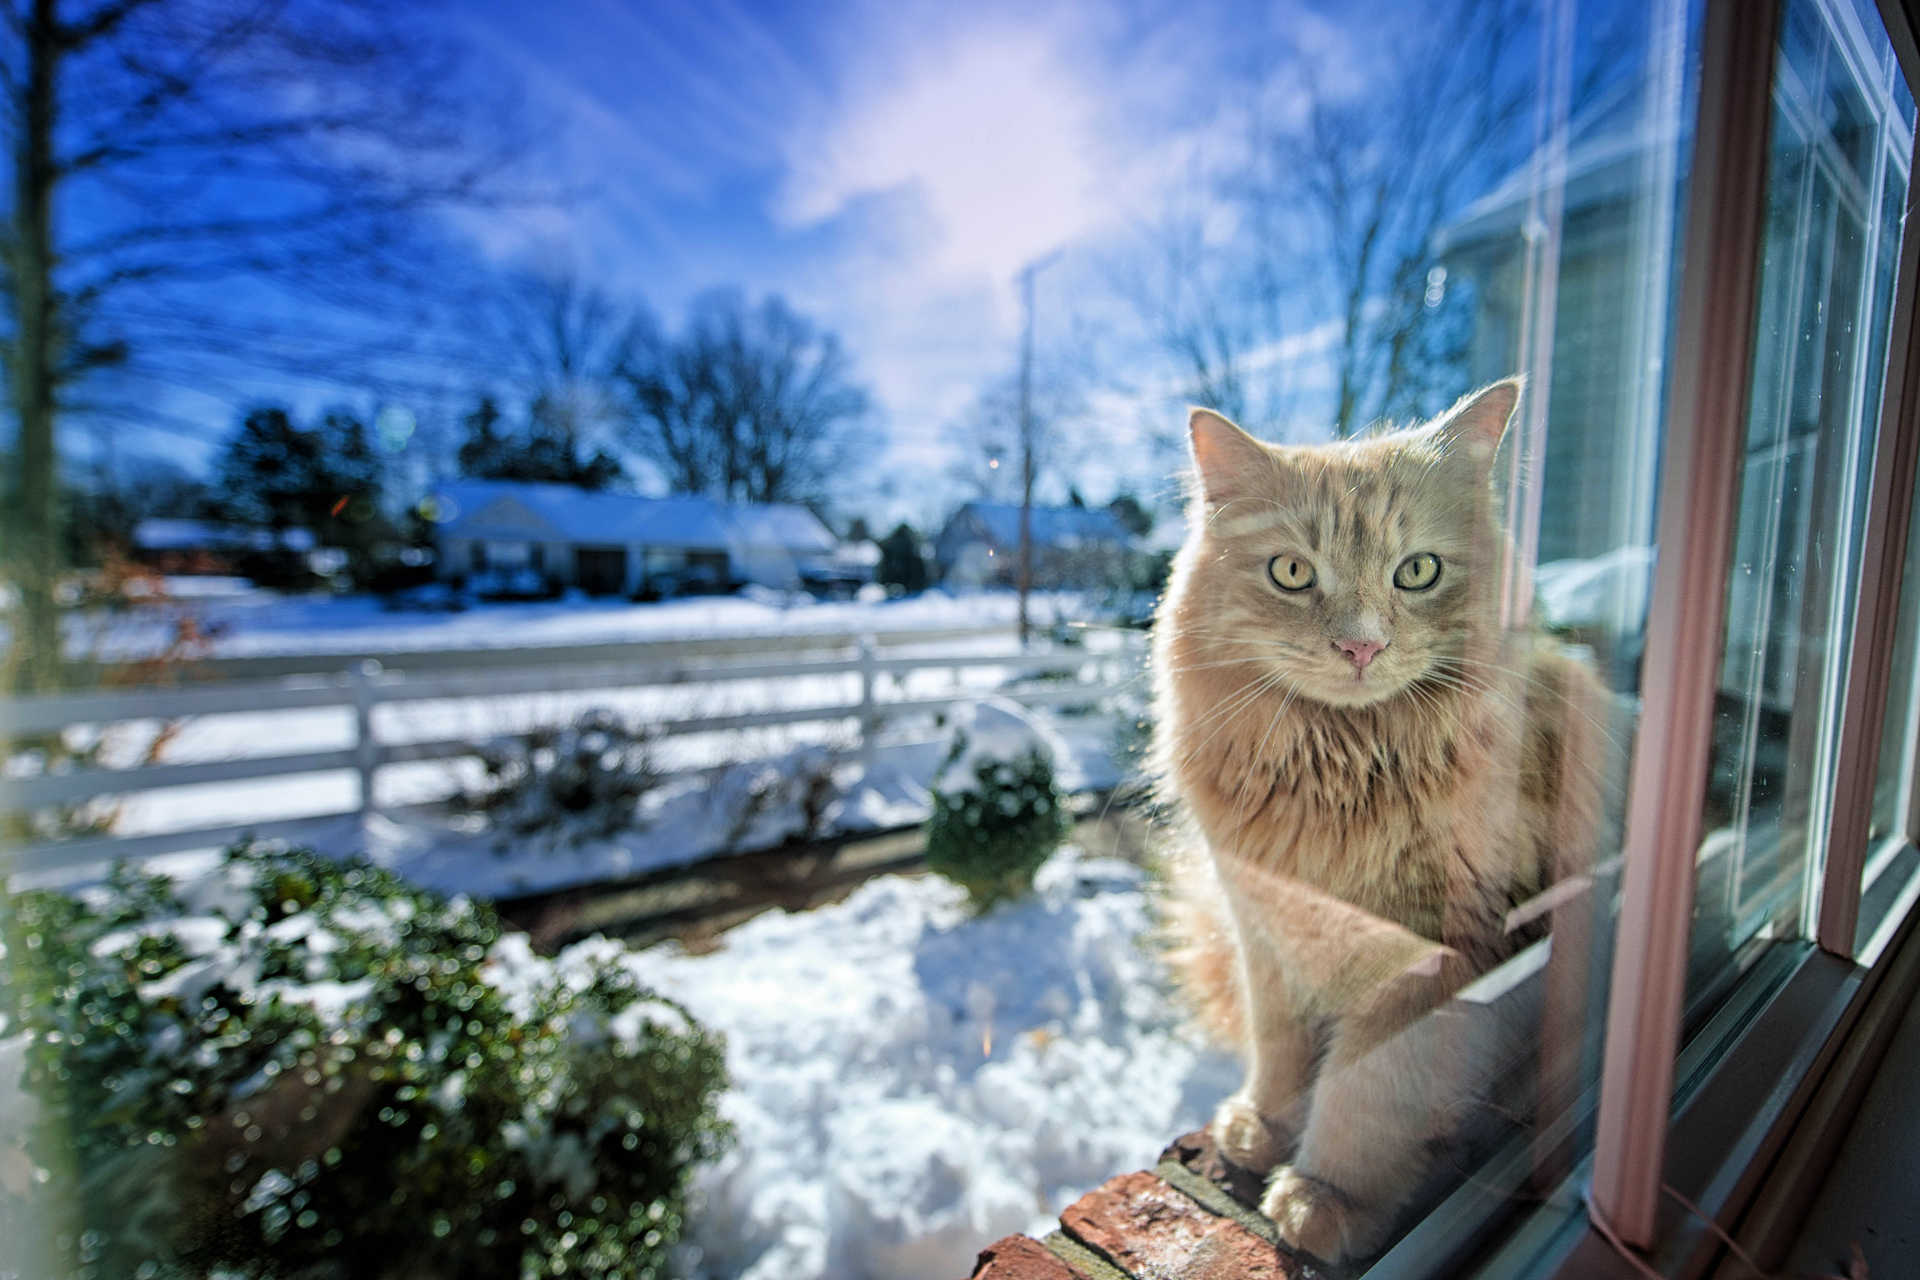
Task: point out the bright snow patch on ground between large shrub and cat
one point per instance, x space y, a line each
915 1081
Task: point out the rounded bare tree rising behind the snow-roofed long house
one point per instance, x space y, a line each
750 404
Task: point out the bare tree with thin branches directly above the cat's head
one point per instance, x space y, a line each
1330 220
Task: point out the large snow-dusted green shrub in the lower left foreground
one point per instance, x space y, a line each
306 1068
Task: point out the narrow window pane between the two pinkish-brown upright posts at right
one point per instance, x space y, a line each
1835 208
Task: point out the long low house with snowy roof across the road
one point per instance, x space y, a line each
619 544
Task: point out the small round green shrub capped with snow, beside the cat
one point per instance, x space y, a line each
992 840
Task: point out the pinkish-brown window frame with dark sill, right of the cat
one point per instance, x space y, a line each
1719 1120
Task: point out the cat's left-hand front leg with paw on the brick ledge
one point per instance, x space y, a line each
1259 1126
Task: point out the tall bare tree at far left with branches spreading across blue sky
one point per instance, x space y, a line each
199 183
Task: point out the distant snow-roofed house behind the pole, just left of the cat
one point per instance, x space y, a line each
1072 548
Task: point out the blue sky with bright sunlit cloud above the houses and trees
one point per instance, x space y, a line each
890 170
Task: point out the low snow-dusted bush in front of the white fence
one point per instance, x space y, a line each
573 784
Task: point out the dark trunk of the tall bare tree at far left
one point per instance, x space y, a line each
37 517
